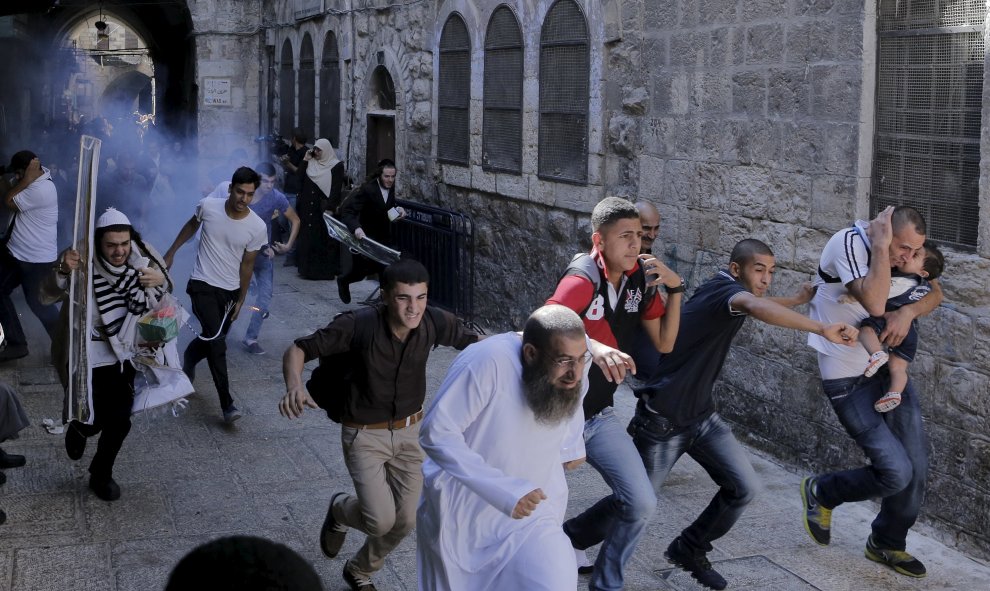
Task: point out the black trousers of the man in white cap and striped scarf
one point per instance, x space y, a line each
113 397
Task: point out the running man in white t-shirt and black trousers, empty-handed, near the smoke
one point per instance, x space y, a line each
232 236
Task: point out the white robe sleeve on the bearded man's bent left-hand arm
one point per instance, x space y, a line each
467 391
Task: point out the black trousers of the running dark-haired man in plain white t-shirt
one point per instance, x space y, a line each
210 304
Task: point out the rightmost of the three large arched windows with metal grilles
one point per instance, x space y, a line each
564 76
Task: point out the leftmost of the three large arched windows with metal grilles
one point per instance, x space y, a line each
454 108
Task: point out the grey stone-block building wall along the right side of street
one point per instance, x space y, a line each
739 118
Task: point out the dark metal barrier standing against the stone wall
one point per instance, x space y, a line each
443 241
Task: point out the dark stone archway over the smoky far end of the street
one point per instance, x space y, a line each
48 52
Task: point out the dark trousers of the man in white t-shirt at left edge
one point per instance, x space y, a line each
29 276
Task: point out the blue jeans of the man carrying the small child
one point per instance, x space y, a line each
897 447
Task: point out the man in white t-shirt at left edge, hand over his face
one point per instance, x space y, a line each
31 250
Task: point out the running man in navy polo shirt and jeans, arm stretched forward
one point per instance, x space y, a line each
676 411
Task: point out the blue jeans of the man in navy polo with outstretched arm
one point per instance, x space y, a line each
710 443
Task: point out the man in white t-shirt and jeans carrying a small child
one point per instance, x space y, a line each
854 282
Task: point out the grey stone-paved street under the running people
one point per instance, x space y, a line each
189 479
